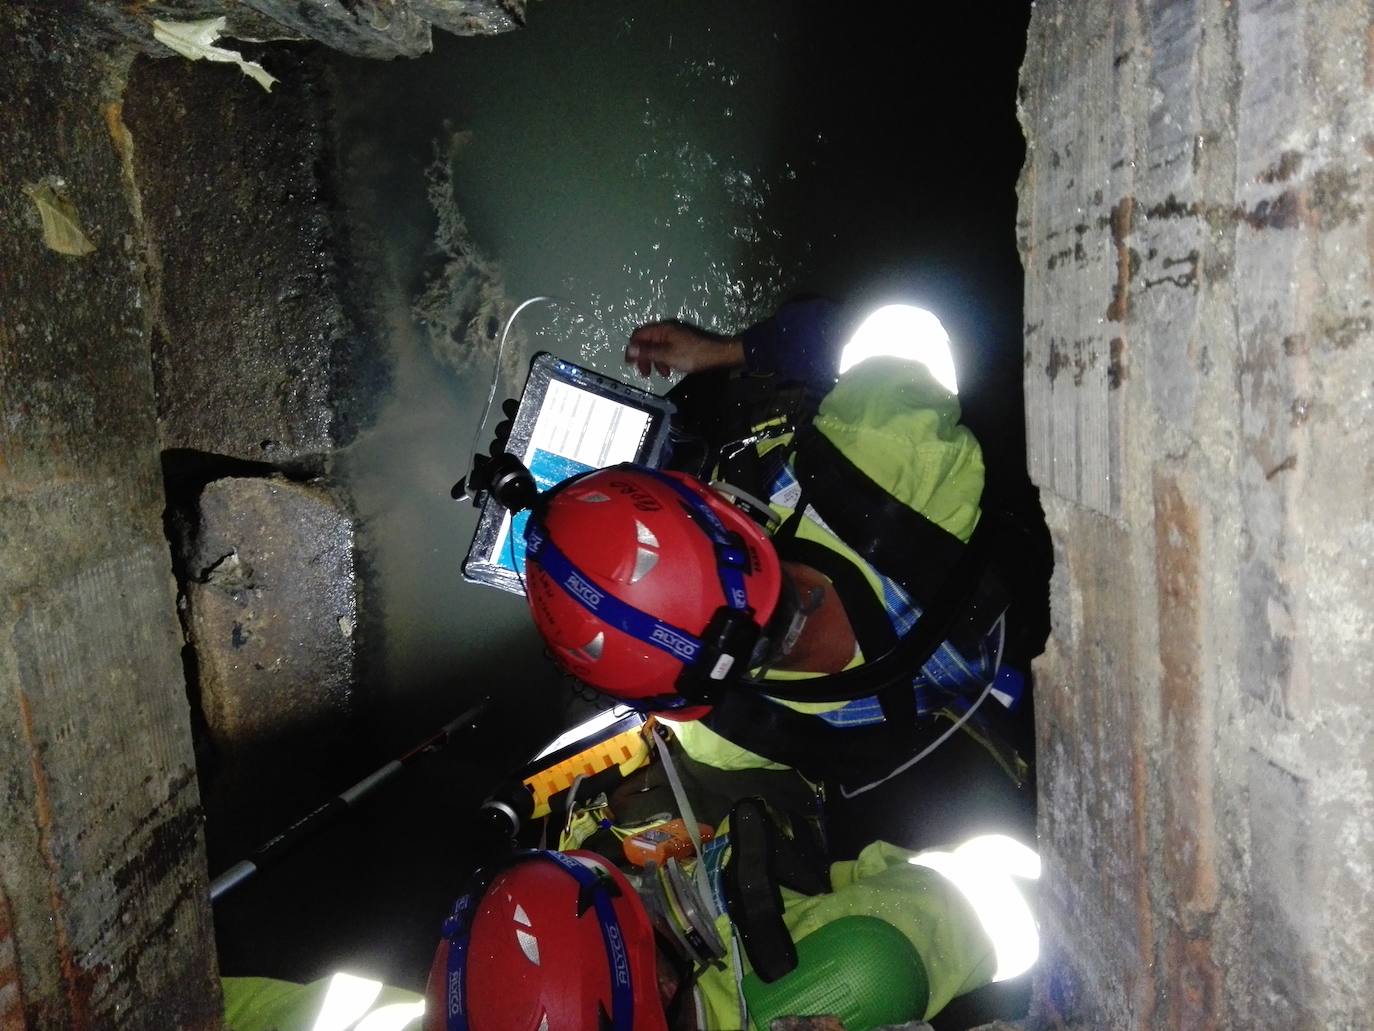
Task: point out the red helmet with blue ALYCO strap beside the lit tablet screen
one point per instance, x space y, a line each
634 575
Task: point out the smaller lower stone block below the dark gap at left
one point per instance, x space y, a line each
271 608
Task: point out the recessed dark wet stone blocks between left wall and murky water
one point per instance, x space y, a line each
259 376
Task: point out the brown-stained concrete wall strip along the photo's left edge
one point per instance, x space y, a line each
104 908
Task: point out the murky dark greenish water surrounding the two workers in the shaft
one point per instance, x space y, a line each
645 160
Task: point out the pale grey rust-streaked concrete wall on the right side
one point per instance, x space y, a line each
1200 388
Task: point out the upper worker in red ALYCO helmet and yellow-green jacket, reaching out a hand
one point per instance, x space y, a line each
818 590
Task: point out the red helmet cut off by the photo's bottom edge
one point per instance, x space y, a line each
559 941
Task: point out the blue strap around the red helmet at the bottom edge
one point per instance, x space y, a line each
596 891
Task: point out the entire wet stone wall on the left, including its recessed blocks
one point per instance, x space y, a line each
179 570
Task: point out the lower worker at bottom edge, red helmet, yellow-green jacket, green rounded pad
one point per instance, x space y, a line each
570 941
